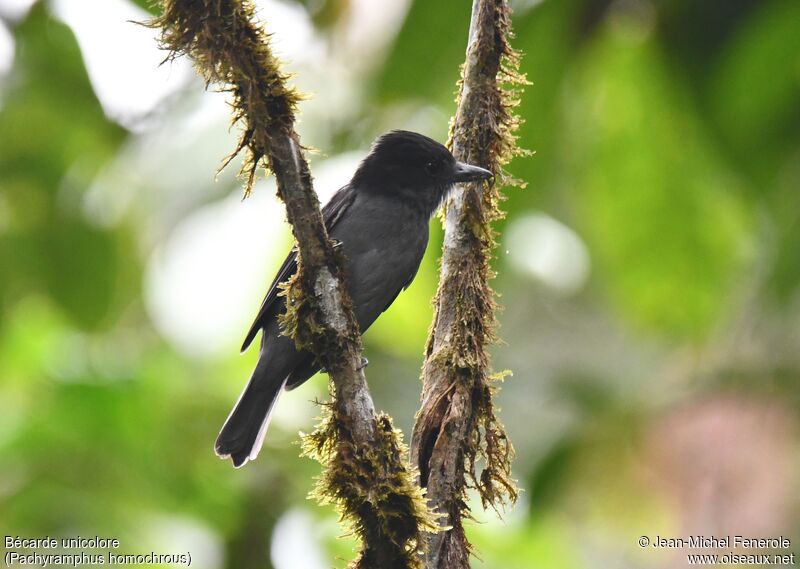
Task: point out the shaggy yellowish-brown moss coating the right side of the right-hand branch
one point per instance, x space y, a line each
489 137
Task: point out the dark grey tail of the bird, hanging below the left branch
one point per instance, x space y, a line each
243 433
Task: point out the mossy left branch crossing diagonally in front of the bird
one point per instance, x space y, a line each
364 475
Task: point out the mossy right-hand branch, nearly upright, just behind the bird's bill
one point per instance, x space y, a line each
457 424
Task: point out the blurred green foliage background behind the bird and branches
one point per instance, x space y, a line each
667 139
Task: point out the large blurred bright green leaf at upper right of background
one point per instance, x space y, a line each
661 214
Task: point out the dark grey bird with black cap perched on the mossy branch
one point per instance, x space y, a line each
381 219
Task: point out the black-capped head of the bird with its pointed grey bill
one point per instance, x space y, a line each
414 166
